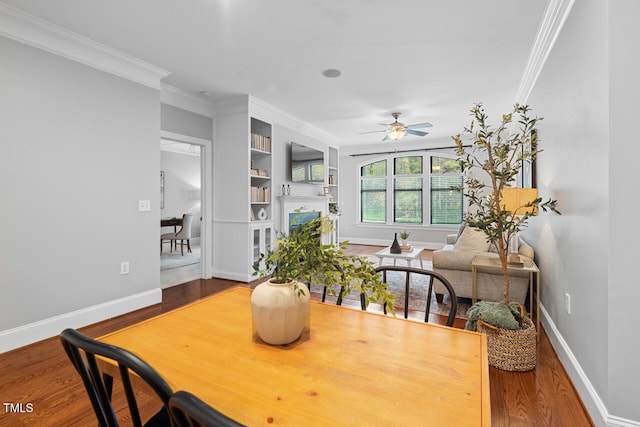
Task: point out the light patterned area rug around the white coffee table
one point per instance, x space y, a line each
417 294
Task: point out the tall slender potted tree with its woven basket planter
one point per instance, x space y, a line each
498 153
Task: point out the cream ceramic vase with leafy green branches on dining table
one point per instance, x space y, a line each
280 305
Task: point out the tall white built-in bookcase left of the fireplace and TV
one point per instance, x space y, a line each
243 211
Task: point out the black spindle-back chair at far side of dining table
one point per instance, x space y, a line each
428 274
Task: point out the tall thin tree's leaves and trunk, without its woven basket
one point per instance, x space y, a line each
492 158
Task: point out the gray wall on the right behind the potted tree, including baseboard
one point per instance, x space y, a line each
587 92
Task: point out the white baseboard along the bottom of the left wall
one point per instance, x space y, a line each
47 328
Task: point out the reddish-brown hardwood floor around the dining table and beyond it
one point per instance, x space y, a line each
41 375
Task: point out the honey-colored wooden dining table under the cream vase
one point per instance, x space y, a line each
353 367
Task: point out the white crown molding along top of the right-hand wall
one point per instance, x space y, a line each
554 18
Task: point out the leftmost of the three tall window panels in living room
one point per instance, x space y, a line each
373 192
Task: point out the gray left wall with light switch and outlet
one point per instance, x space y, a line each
79 149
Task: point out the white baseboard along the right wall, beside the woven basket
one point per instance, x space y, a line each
592 401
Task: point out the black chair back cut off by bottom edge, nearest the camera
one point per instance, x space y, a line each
189 411
